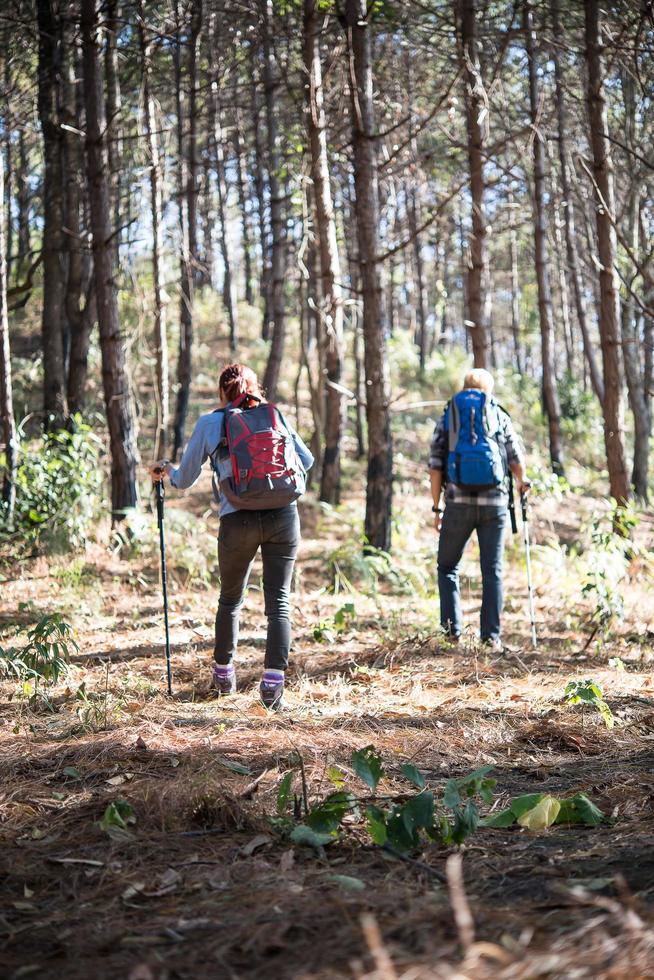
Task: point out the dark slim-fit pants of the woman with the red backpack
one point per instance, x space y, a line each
277 533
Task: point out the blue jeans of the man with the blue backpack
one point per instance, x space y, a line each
459 521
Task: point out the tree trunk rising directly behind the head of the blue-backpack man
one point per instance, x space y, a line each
476 110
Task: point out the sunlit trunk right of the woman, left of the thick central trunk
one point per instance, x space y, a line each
331 312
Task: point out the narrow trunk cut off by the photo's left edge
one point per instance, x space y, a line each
6 397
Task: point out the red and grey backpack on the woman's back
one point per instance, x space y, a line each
255 464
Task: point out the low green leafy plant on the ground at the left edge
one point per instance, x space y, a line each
46 654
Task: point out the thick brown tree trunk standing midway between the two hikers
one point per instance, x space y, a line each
380 453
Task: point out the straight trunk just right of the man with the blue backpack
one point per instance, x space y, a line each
550 390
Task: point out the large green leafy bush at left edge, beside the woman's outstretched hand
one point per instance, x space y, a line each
57 489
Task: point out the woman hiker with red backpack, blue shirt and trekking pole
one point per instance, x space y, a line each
259 464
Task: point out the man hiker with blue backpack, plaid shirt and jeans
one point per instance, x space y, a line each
472 450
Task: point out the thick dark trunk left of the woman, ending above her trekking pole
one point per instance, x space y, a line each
117 396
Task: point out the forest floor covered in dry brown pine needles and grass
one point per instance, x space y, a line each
204 885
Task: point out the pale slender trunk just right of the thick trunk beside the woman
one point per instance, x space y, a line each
155 181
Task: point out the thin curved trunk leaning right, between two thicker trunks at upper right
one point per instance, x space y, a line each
569 214
